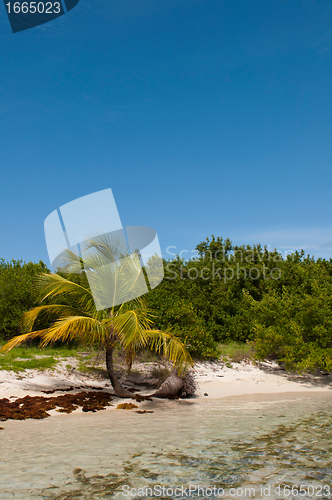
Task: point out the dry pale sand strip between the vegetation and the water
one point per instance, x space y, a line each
214 380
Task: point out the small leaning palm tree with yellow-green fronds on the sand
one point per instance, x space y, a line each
128 325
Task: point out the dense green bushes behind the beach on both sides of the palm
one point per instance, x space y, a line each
278 307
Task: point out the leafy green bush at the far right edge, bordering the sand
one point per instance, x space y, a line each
294 326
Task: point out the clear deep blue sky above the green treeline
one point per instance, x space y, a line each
203 116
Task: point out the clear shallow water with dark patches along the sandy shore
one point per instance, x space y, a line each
253 442
